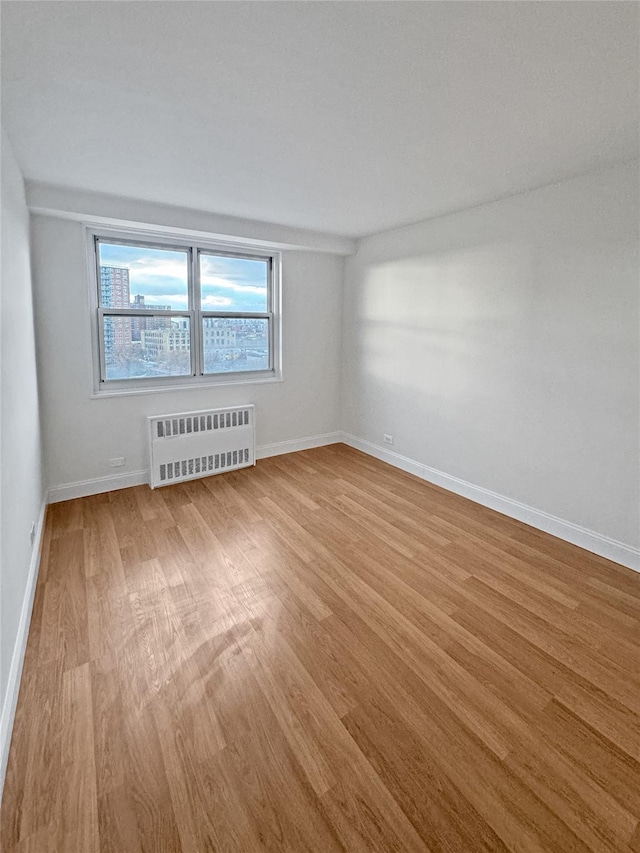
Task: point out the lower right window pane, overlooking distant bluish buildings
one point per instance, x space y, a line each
235 345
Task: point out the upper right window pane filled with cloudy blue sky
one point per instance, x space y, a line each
233 284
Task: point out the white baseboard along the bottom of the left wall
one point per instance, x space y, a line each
19 649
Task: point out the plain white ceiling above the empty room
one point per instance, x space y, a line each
346 117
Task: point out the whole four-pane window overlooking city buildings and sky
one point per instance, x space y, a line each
172 312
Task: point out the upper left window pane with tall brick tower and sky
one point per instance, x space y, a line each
143 277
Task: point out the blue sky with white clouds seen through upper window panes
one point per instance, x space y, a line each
228 284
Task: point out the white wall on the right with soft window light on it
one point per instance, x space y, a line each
500 345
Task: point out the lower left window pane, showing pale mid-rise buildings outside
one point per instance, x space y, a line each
135 347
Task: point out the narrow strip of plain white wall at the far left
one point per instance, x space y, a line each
21 492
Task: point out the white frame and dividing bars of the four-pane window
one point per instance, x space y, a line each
194 248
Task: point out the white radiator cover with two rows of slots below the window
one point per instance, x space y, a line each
197 444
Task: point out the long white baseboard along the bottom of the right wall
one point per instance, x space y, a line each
611 549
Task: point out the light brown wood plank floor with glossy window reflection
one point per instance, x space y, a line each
322 653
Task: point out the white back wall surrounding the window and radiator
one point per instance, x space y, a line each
82 434
